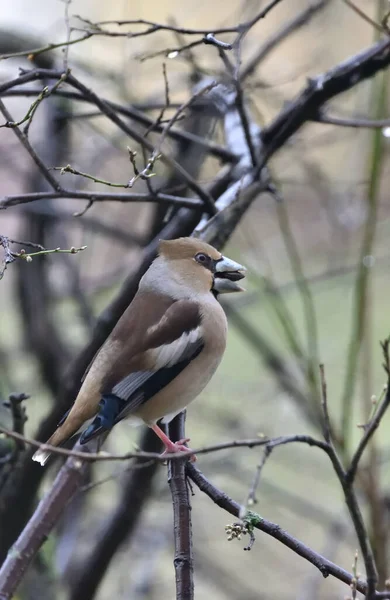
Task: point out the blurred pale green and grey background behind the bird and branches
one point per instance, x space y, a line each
316 292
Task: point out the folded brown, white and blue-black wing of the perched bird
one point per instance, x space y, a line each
167 347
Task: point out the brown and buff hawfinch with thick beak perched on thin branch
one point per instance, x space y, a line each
163 350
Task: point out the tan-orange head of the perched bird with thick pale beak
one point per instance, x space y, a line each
200 266
